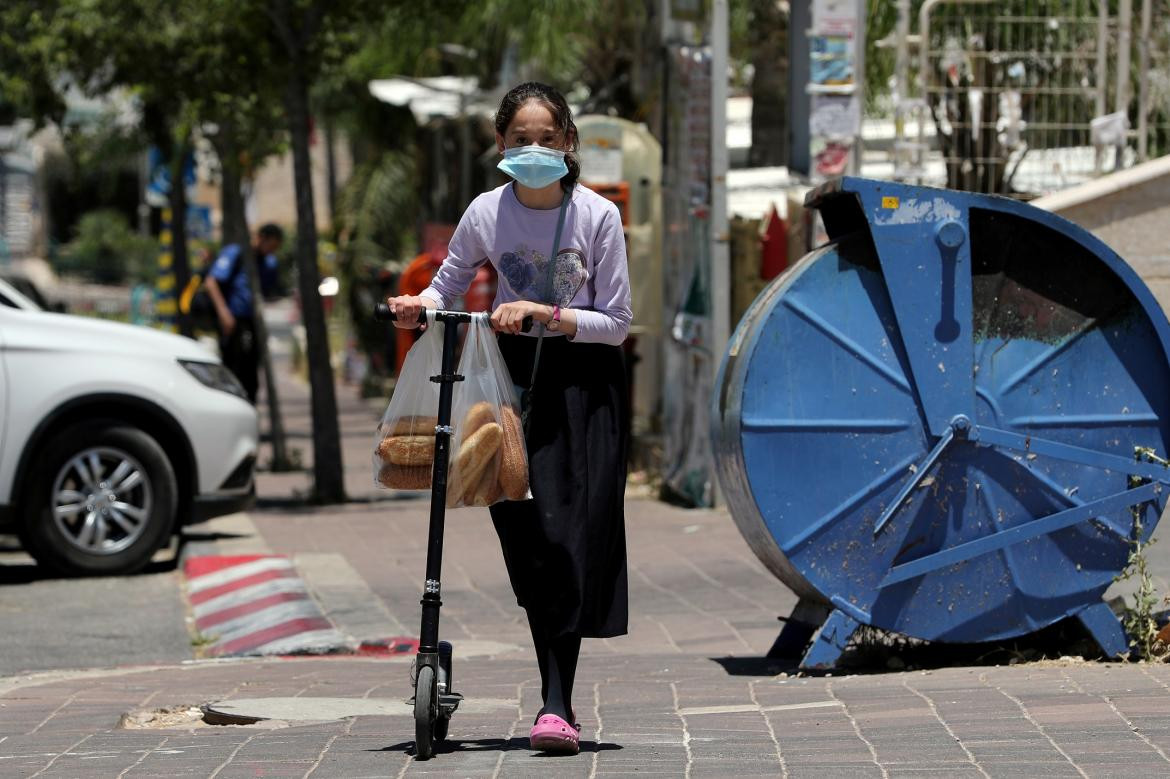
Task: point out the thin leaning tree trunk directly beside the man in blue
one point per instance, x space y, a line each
236 231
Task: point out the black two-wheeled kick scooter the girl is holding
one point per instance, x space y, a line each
435 700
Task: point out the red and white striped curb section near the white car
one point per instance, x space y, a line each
258 605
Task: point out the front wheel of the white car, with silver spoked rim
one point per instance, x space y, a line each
102 501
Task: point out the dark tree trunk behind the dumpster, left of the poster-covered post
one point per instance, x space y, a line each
769 94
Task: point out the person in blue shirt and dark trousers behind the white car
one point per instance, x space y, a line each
229 286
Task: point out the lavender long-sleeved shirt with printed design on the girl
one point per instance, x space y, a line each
590 274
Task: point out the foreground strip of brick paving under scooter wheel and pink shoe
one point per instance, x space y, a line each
671 715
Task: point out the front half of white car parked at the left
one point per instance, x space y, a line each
113 438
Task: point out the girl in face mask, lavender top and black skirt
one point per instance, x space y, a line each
566 549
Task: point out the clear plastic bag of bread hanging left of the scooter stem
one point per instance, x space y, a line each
405 446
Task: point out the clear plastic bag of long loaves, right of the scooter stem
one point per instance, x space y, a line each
491 463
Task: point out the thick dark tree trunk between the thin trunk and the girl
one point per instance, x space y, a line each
327 443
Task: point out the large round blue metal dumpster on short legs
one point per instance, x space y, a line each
947 422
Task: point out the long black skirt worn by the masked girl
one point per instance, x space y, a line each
566 550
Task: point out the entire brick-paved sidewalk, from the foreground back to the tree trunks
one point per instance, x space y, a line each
685 694
